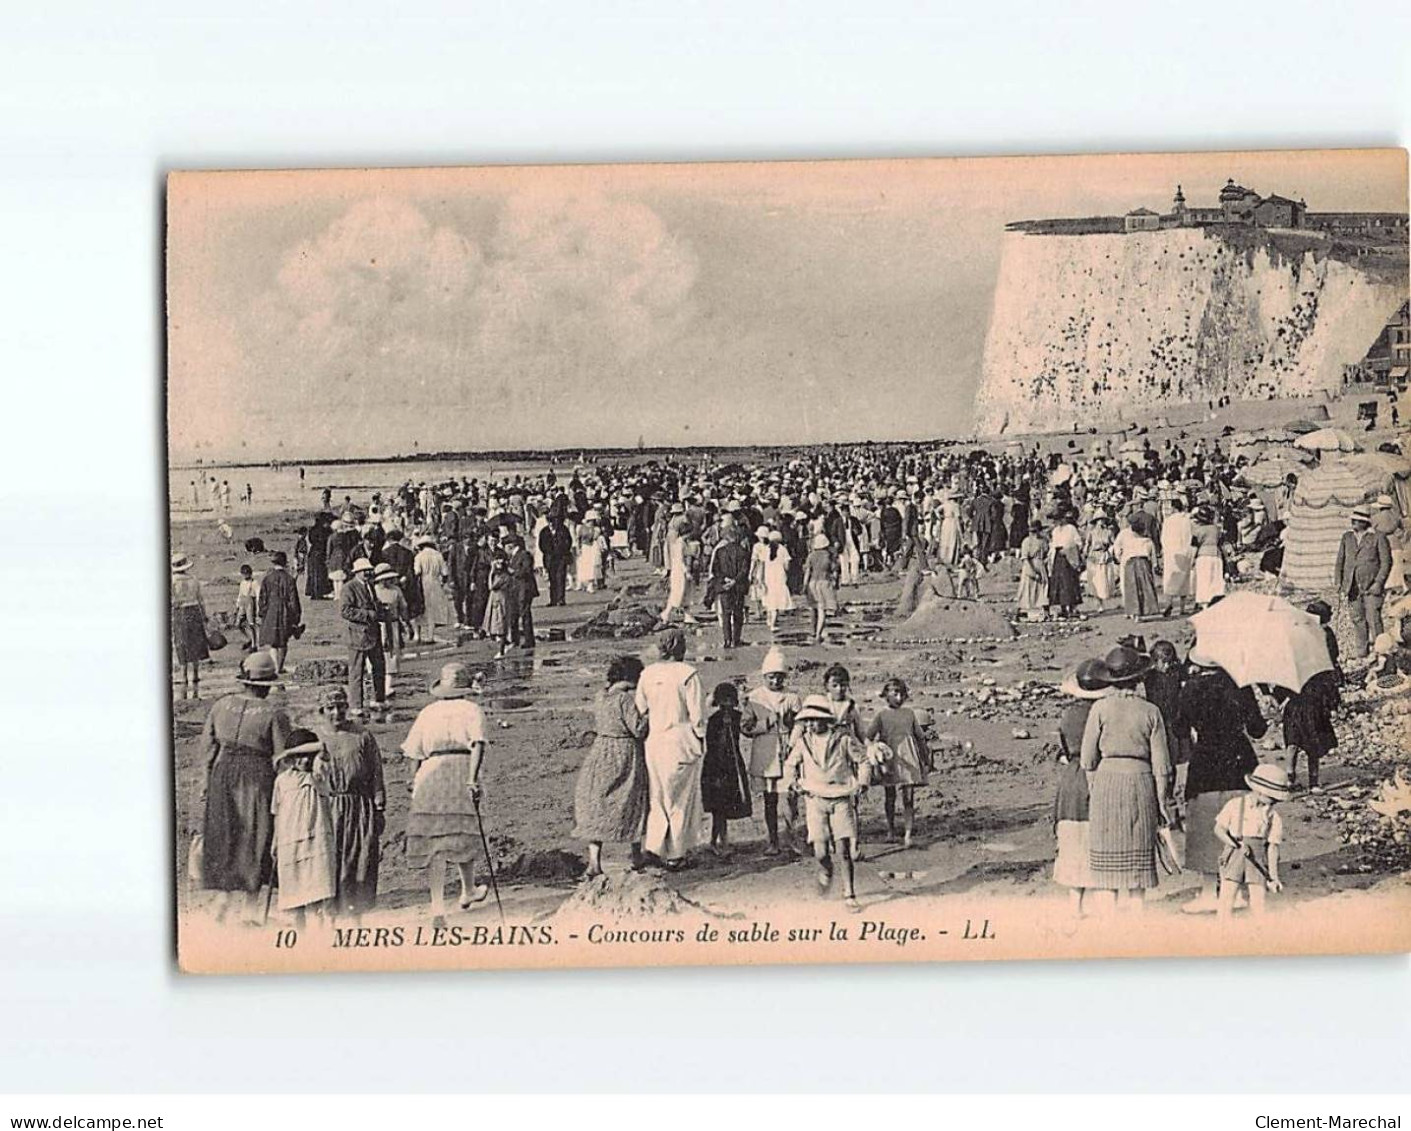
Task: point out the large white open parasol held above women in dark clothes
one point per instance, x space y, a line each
1262 640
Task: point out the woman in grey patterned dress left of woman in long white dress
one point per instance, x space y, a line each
612 793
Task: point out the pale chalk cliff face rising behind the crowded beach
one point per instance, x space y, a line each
1106 328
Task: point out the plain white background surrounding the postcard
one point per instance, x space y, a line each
98 101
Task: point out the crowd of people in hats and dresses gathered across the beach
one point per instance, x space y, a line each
1151 744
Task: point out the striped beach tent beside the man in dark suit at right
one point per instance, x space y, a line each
1319 517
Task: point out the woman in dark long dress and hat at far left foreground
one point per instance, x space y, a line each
243 735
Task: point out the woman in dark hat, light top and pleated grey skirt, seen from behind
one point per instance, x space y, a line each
1130 778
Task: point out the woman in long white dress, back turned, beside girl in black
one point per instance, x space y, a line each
670 696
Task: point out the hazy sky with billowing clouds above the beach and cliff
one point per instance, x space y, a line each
365 314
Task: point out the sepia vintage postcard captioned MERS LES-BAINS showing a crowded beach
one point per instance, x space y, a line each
839 562
